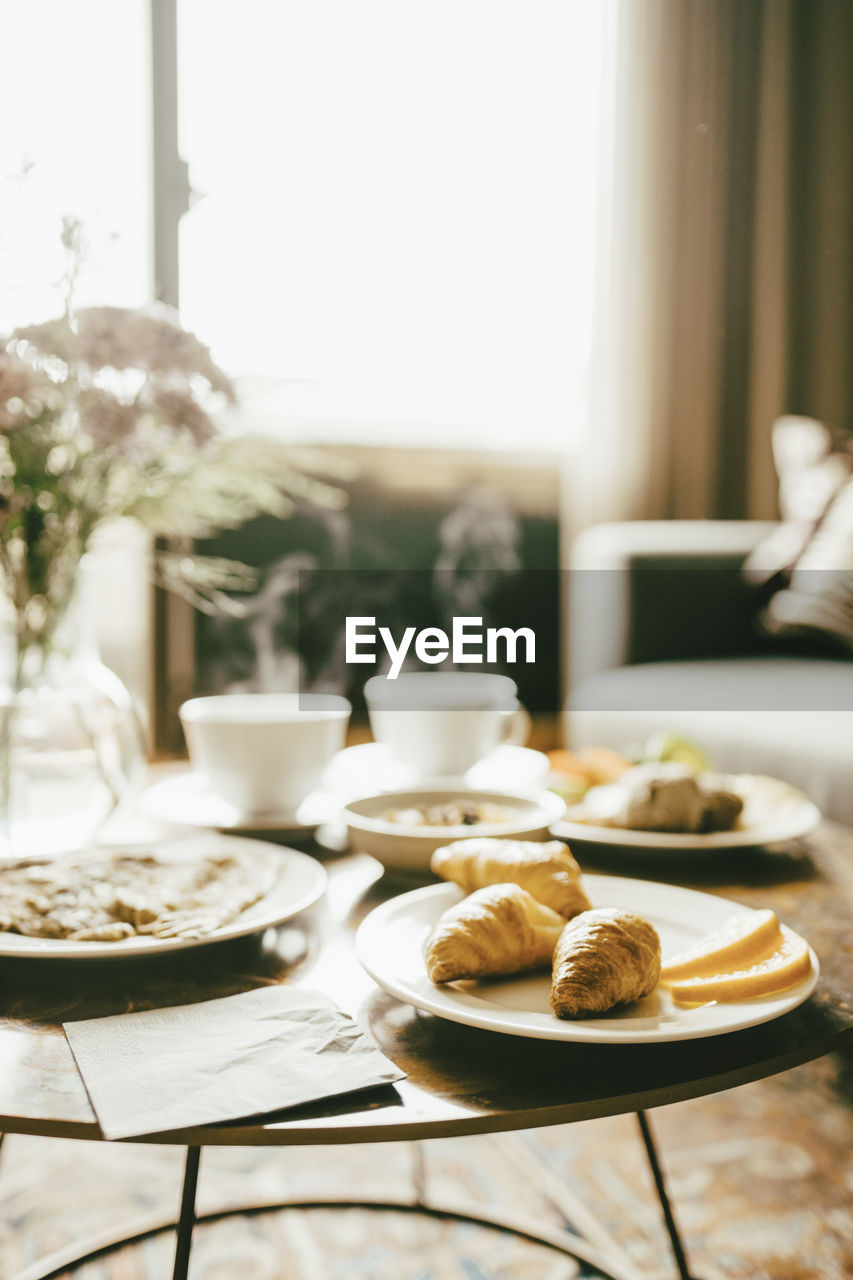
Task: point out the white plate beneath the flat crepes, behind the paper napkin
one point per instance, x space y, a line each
300 883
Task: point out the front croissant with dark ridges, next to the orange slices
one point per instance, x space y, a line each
604 958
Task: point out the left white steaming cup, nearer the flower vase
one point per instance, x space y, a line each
264 753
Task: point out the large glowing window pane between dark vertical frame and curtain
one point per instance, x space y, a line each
394 232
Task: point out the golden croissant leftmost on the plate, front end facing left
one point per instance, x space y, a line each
499 930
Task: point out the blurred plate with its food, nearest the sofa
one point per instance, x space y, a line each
674 803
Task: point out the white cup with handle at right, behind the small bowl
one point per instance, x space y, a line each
441 724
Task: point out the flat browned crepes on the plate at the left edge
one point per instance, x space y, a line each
111 895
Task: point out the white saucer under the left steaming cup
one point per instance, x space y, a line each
185 799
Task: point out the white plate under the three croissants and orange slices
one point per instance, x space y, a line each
391 944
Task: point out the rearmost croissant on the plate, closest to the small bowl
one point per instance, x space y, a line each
548 871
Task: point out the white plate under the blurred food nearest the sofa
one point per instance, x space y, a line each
773 812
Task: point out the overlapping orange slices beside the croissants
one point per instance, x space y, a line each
752 956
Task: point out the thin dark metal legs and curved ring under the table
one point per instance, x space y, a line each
565 1242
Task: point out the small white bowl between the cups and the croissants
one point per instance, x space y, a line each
409 849
